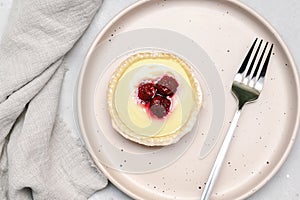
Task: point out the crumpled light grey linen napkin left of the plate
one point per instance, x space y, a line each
39 157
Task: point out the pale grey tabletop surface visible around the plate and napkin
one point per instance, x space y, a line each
283 15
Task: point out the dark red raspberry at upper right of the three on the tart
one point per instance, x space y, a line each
166 86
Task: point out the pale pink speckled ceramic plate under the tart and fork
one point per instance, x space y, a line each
265 133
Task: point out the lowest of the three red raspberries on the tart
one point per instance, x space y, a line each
160 106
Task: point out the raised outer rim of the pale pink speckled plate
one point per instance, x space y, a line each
240 5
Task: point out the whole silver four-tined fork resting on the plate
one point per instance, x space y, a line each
246 87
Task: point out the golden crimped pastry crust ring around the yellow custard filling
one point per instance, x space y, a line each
154 140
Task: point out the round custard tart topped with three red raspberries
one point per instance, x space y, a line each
154 98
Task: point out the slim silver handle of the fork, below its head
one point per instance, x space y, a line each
220 157
